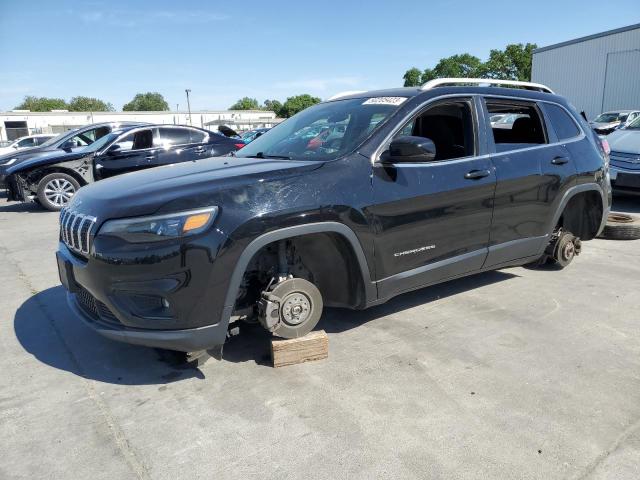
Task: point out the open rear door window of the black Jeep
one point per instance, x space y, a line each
515 125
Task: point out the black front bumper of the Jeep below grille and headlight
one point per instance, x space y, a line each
166 299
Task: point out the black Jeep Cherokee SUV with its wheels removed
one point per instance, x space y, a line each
416 187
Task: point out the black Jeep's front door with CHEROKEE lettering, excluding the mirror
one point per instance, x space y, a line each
433 218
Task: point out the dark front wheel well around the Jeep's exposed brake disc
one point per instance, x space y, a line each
326 259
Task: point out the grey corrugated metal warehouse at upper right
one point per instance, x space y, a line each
597 73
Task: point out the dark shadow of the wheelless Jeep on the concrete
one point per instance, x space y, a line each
47 329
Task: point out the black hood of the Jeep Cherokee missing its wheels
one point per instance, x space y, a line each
171 187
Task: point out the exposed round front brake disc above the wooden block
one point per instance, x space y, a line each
297 292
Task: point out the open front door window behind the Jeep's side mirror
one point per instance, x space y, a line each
449 125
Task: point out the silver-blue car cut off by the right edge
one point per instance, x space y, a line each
625 158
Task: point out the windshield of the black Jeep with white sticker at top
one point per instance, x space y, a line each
325 131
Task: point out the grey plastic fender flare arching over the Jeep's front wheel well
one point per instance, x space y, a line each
289 232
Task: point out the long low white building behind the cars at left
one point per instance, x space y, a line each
17 123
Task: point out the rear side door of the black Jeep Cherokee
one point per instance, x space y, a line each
533 171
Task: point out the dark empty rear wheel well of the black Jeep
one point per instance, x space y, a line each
582 215
